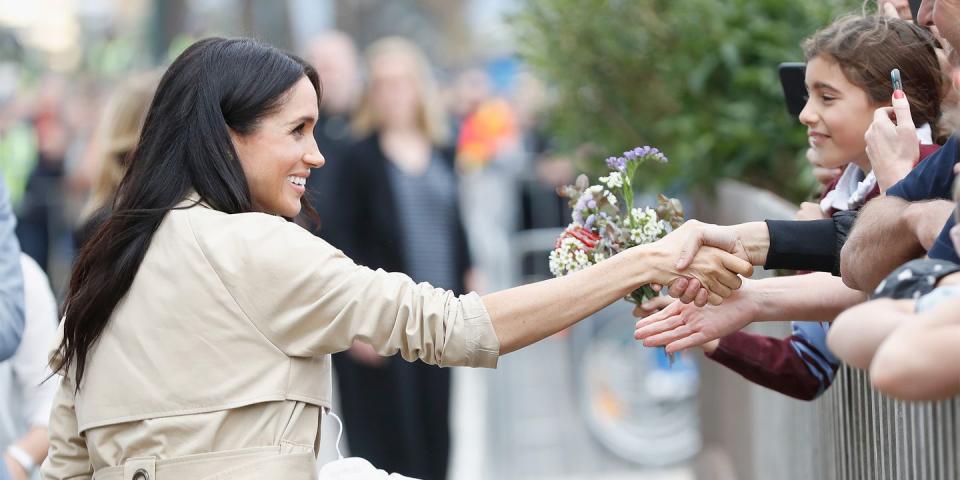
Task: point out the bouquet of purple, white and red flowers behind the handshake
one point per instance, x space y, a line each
606 222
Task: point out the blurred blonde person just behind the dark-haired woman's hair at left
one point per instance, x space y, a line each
114 139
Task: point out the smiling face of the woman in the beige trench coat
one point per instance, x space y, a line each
278 155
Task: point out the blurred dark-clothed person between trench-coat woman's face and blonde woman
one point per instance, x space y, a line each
334 55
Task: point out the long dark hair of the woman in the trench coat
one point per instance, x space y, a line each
215 86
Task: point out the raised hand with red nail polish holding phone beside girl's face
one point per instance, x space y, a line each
893 148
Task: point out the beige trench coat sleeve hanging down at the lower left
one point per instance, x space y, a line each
68 458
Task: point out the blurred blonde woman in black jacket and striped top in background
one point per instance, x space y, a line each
400 213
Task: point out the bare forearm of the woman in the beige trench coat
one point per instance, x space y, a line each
526 314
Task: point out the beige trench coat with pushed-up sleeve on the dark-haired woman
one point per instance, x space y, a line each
216 363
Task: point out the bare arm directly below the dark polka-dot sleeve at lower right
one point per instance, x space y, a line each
857 333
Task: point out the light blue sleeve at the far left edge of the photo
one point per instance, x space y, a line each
11 280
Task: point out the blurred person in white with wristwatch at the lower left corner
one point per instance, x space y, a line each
26 392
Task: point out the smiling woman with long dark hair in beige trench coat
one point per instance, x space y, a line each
199 322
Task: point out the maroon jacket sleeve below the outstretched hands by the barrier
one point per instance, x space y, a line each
769 362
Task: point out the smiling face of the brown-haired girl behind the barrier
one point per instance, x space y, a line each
837 115
